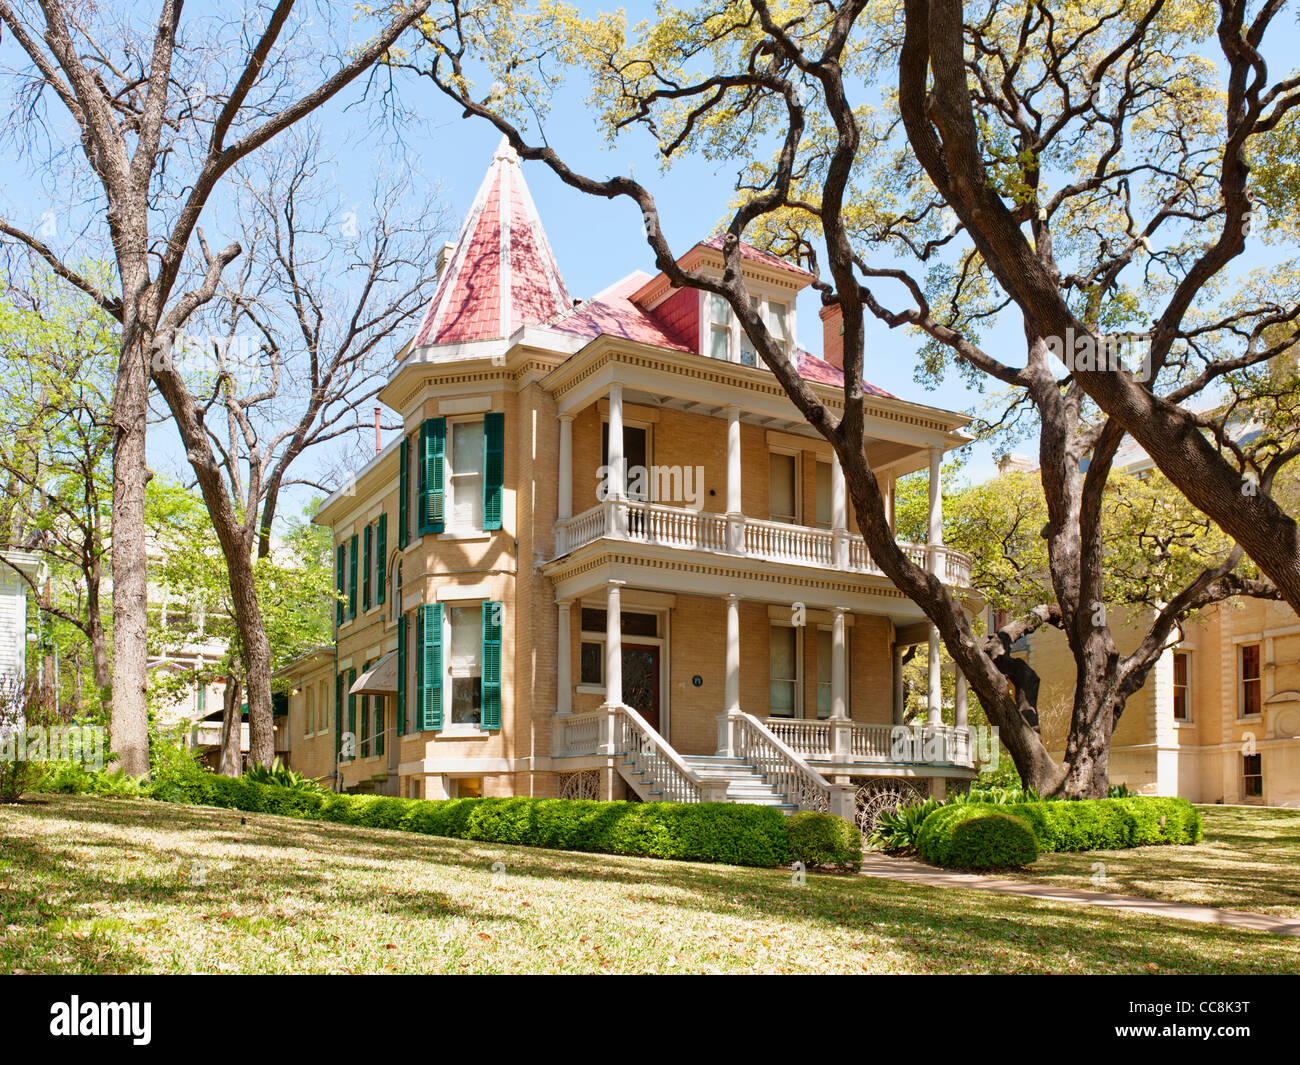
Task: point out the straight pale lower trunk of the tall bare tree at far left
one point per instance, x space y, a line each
129 730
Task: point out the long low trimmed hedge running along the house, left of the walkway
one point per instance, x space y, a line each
735 834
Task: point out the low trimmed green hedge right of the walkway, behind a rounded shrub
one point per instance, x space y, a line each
1084 825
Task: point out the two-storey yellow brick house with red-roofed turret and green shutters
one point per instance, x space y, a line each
601 564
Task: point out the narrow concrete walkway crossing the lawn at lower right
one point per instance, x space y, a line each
918 873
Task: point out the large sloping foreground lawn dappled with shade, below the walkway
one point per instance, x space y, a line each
116 886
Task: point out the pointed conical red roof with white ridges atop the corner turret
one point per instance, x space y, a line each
502 274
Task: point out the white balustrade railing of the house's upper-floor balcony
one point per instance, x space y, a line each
705 531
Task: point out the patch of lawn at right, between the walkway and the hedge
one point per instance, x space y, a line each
1250 860
